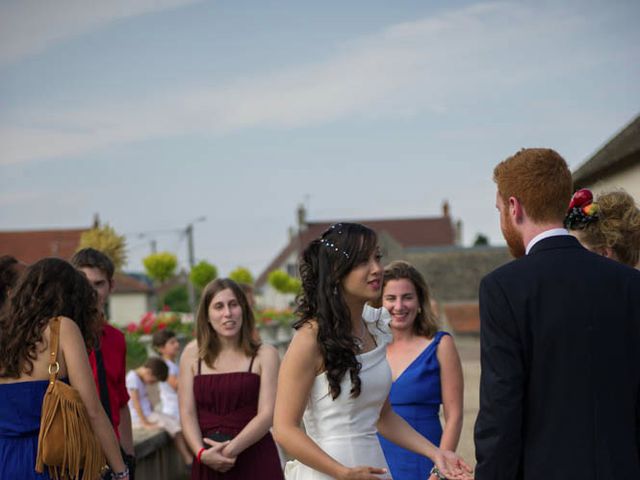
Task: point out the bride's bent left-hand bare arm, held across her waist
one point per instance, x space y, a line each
297 374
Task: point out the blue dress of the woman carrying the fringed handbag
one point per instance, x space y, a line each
20 409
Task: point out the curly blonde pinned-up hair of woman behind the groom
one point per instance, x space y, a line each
617 227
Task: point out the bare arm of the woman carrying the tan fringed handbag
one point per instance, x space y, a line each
75 357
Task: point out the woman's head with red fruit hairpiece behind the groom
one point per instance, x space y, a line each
609 226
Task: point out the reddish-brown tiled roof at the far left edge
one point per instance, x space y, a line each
31 246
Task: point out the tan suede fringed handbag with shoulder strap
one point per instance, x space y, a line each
66 444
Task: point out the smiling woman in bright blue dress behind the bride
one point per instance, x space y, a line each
426 371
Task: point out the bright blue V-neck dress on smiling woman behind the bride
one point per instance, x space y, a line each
416 396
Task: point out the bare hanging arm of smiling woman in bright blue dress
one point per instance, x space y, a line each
452 386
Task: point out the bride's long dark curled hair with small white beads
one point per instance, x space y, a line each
323 265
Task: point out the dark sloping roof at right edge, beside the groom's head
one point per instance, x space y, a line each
623 149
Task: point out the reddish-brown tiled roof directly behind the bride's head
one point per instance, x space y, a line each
409 232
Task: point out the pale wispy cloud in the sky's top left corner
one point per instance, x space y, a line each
30 26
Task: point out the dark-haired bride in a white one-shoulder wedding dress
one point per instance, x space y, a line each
335 375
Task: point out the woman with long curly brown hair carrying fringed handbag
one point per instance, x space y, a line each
49 288
